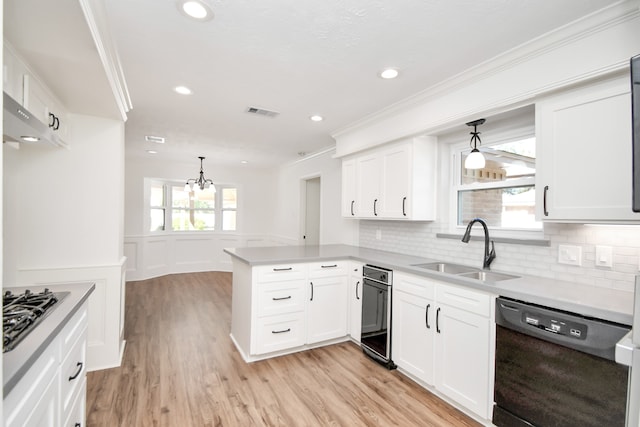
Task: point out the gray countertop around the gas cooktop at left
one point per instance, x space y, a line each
16 362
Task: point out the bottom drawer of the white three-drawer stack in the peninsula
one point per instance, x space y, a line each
279 333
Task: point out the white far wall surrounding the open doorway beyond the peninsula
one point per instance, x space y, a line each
333 228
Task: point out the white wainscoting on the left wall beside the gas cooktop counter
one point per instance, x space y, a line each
106 343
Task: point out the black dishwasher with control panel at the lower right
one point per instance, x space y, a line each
555 368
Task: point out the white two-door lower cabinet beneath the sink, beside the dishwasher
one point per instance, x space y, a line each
442 335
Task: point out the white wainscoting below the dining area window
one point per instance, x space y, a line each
157 255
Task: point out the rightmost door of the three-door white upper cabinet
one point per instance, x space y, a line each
396 172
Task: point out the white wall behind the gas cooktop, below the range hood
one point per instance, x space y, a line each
63 222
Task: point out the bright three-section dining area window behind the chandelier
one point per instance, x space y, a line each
199 210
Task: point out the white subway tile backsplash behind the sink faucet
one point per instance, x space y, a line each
419 238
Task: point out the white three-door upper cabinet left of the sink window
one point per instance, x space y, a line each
396 181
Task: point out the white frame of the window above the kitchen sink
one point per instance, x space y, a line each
457 150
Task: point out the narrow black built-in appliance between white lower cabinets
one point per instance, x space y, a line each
376 314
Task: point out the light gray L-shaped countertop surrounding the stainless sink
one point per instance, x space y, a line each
602 303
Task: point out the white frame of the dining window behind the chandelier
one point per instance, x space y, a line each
168 208
